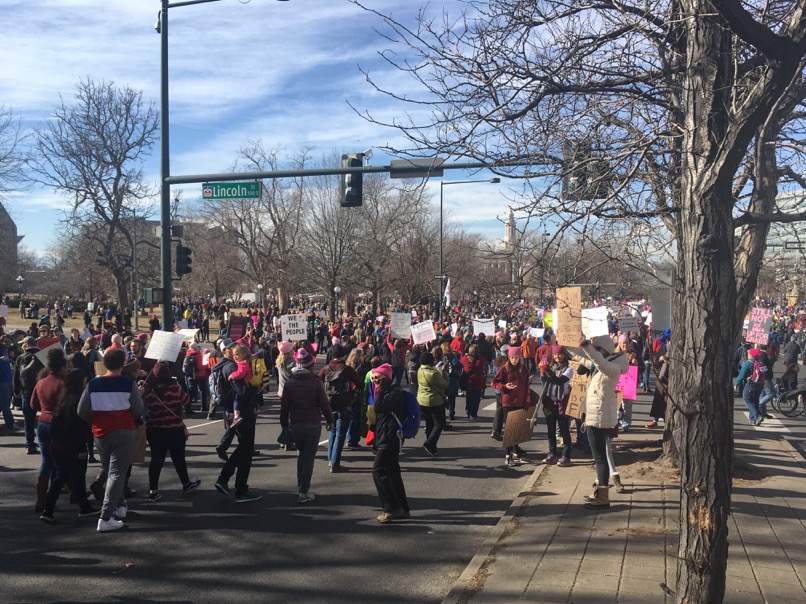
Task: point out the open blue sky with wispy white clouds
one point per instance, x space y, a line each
279 72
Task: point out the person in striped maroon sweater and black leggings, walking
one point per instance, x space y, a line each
165 401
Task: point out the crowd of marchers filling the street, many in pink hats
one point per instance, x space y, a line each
100 392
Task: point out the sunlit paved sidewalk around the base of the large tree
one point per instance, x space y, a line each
549 548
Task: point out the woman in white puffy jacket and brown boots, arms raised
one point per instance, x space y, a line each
601 408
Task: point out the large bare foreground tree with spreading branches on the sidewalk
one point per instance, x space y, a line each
678 113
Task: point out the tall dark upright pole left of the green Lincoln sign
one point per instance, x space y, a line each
166 281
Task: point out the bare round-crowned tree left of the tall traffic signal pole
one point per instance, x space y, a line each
92 152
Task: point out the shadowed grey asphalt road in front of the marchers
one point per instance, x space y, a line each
203 547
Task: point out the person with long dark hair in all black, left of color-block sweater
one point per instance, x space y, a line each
68 447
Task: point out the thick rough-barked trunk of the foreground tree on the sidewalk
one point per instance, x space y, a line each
704 324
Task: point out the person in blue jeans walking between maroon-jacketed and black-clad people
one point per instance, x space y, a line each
342 383
